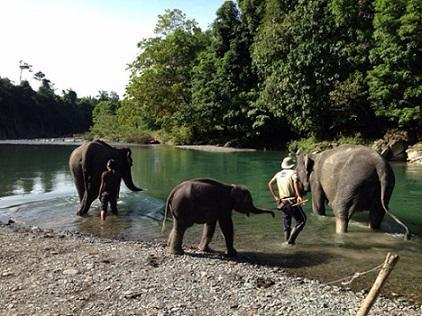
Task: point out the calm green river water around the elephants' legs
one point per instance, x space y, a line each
36 188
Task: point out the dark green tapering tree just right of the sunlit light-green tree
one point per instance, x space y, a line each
224 81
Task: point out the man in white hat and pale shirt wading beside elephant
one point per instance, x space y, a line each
289 199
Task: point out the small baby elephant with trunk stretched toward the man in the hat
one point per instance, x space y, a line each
206 201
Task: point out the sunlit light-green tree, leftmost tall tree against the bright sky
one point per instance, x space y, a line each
159 91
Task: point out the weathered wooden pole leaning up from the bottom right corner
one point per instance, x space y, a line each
388 266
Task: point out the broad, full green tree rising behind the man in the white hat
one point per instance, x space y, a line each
297 56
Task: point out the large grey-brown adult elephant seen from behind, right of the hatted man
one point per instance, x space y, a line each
350 178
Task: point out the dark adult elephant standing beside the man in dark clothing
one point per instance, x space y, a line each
88 161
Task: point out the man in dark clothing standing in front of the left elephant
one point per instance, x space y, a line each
109 189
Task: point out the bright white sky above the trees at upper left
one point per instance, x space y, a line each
83 45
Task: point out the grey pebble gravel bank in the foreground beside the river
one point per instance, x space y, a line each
44 272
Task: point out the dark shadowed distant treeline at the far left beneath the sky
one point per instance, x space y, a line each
25 113
